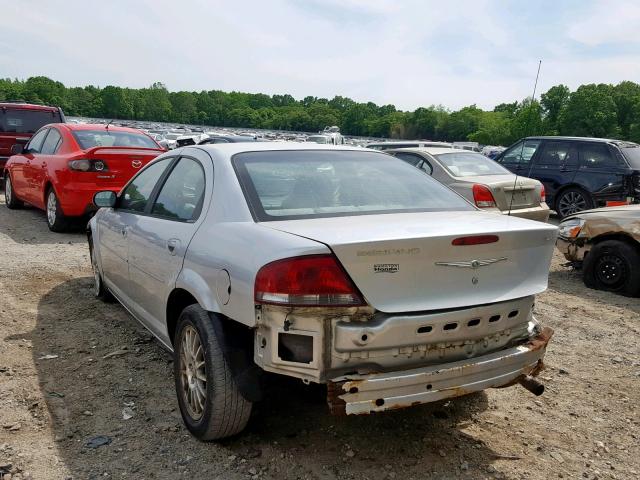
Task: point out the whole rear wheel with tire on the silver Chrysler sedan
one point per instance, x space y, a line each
210 402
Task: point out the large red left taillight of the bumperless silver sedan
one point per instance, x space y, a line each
312 280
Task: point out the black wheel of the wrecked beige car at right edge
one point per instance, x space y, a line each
613 266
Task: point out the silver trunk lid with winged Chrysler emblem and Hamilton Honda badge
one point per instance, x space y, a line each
406 262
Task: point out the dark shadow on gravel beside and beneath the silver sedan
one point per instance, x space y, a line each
109 368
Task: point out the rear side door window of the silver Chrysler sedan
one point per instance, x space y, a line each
182 194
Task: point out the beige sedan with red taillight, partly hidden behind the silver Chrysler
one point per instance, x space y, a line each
480 180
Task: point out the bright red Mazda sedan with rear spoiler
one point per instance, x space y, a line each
64 165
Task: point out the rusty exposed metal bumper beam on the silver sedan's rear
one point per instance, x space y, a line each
362 394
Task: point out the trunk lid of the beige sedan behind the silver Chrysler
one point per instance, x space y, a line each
525 191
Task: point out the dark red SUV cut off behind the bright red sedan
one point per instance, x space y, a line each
19 121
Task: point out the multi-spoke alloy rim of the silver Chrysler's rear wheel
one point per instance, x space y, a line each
193 372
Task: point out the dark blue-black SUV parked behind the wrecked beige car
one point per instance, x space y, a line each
578 173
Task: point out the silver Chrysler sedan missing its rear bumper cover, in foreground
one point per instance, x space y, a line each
333 265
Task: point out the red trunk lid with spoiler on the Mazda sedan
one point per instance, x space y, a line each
122 163
